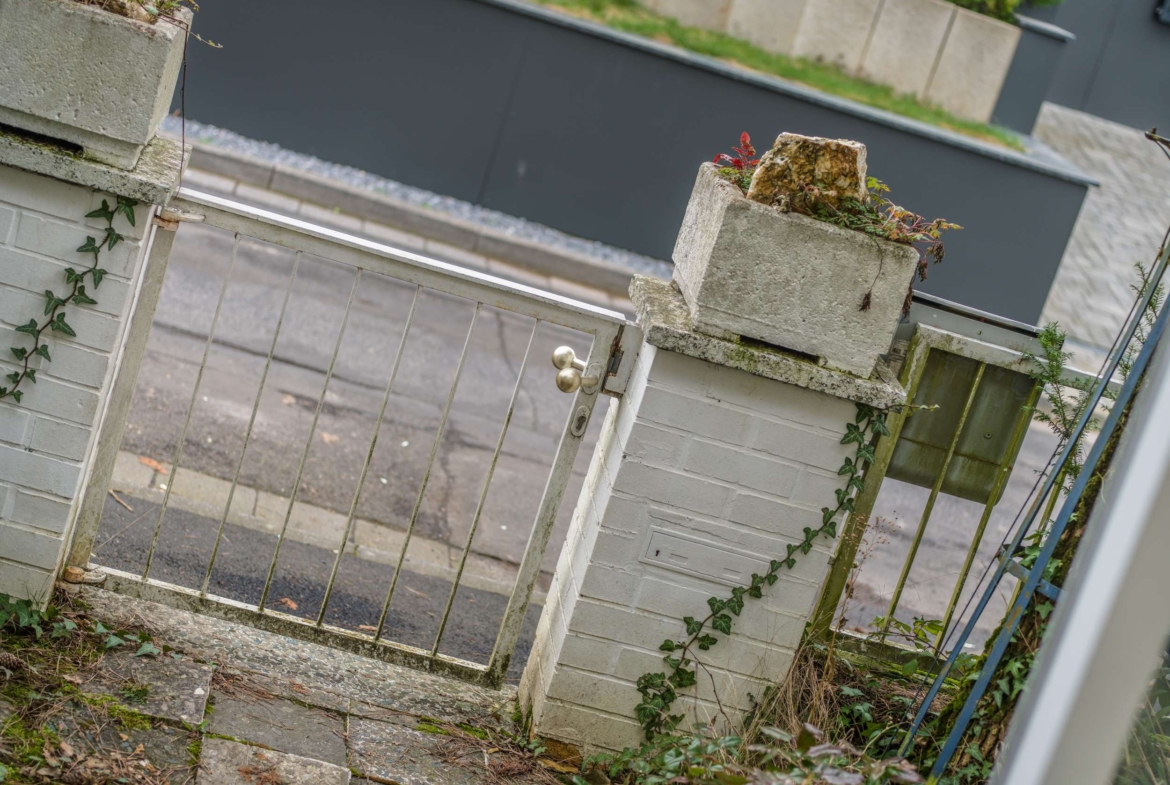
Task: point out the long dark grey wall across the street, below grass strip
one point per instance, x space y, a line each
582 130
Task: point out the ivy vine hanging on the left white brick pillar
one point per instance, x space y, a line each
54 306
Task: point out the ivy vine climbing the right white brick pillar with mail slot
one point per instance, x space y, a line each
659 691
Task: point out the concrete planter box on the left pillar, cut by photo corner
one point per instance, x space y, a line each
86 77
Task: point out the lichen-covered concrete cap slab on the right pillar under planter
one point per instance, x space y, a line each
665 320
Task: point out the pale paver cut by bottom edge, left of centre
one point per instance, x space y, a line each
231 763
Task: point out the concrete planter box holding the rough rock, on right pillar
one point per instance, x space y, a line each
748 270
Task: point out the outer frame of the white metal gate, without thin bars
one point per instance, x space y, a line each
615 352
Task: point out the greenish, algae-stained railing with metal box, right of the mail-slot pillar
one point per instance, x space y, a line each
980 380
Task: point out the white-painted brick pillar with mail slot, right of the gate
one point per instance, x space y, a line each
703 474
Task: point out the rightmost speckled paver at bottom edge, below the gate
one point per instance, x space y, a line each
390 752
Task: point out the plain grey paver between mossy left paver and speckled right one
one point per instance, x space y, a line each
281 726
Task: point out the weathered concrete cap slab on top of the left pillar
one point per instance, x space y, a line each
154 181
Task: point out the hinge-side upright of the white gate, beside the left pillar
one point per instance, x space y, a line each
114 424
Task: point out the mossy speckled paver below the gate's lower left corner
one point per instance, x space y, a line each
175 690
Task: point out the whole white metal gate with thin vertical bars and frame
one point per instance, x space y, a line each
607 369
